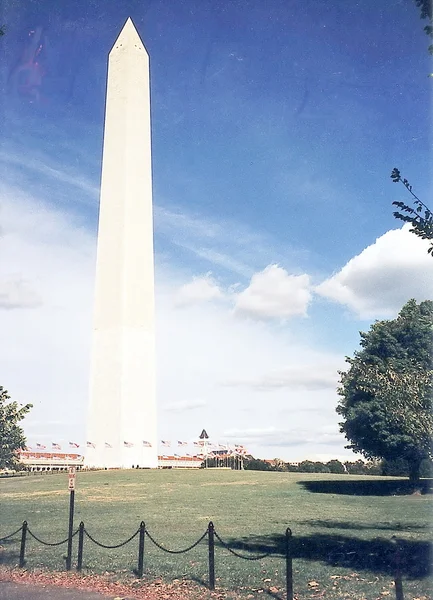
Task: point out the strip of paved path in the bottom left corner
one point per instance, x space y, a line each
20 591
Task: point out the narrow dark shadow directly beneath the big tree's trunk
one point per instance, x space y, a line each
368 487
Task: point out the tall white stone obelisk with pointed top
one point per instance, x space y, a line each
122 416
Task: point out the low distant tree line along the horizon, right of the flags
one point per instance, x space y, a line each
394 468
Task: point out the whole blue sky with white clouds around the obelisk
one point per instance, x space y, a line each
275 126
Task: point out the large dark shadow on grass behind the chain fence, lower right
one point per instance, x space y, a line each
374 555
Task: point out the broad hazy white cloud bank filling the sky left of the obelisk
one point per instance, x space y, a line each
45 359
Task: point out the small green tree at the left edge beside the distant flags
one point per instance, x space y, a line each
11 435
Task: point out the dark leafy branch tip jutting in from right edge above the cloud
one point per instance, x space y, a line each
419 216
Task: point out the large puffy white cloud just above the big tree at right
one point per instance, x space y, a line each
377 282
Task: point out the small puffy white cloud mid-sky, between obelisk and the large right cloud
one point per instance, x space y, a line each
273 293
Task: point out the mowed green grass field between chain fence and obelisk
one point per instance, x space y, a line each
342 527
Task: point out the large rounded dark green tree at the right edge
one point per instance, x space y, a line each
386 394
